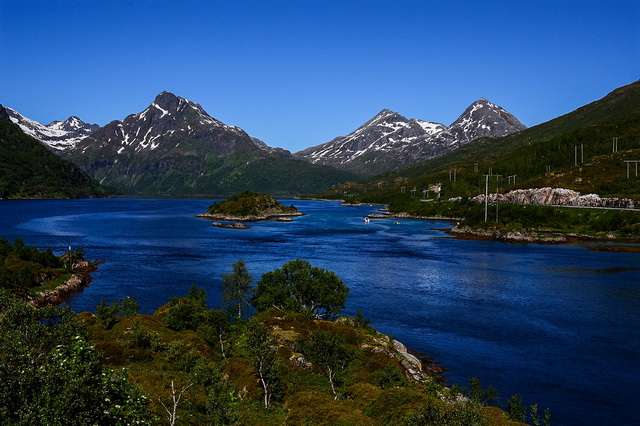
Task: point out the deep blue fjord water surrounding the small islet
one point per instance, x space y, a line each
558 324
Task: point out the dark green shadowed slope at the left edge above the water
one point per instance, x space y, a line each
29 170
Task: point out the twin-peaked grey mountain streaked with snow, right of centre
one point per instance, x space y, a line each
389 140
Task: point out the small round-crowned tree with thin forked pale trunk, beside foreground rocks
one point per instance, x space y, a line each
329 352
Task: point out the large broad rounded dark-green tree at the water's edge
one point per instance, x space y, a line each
301 287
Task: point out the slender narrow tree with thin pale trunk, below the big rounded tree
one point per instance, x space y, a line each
258 344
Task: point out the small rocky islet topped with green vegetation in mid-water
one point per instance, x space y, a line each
248 207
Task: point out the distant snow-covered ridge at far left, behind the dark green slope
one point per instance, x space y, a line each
58 136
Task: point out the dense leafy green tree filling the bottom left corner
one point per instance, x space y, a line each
50 374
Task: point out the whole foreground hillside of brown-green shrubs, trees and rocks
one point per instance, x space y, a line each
188 364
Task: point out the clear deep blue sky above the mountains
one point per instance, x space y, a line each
299 73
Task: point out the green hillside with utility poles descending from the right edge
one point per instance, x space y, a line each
541 156
